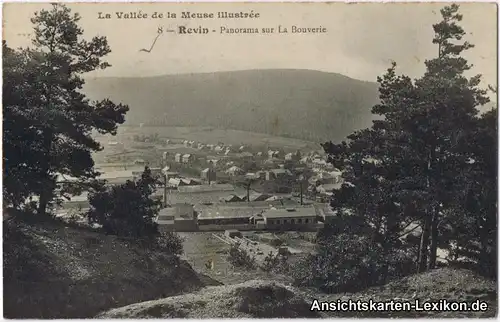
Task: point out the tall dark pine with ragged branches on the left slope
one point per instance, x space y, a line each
54 108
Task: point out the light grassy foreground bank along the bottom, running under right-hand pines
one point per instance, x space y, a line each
268 299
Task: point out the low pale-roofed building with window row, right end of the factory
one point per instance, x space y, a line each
290 218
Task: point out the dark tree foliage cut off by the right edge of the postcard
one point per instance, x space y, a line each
473 216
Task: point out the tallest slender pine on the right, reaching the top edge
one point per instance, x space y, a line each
448 103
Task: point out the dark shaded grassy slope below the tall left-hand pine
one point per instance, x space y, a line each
53 271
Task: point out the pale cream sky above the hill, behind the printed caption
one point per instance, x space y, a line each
360 42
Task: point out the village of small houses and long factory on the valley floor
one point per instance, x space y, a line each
221 191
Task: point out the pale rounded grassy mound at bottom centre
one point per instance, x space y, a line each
252 299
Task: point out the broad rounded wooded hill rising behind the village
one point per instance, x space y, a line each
304 104
